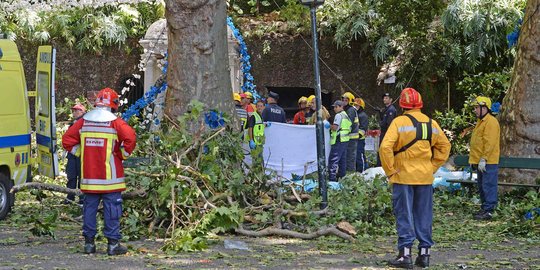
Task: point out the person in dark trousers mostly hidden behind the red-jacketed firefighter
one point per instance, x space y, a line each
73 166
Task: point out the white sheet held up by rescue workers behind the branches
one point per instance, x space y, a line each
288 148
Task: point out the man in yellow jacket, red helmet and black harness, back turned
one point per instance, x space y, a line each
413 148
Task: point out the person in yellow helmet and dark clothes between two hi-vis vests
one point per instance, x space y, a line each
348 100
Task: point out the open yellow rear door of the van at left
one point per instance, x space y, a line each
45 112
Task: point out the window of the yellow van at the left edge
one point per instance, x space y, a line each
11 91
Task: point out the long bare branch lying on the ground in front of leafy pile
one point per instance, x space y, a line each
306 236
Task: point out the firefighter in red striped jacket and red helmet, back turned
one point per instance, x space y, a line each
103 141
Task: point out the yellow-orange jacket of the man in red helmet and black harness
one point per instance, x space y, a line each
417 164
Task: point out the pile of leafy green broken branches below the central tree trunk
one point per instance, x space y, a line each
197 184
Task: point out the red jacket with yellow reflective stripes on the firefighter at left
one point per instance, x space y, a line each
103 147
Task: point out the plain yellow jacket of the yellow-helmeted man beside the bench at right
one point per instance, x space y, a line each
485 141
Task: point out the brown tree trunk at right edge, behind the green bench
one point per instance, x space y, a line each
520 115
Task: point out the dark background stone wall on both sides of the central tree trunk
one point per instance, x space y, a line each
278 62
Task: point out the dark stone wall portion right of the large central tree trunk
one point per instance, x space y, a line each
288 61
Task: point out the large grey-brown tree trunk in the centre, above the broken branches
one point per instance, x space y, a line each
198 61
